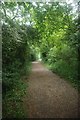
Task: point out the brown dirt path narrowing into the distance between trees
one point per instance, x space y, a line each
49 95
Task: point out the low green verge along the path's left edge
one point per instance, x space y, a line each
13 100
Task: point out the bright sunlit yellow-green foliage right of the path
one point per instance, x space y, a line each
58 42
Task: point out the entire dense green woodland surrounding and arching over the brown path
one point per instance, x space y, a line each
48 29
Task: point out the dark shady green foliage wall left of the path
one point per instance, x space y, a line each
16 42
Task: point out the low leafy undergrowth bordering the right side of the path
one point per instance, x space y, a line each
66 73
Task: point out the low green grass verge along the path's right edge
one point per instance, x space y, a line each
64 73
